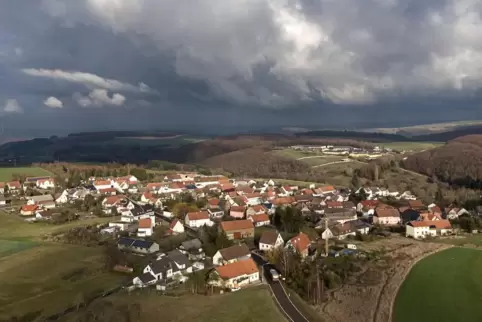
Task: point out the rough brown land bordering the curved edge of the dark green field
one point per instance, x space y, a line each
369 295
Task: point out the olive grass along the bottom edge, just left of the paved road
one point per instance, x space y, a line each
252 304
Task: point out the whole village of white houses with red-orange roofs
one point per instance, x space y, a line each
243 211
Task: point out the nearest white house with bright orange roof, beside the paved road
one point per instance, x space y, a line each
237 274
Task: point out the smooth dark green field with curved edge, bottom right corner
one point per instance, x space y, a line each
445 287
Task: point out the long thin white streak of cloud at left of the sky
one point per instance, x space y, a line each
87 79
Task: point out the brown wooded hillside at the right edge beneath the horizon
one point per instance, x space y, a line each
458 162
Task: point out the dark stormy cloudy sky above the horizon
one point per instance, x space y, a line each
242 64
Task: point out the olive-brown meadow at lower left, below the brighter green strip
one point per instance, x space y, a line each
50 277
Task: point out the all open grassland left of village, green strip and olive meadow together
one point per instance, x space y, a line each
46 277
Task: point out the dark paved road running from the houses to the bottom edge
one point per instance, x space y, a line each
282 299
